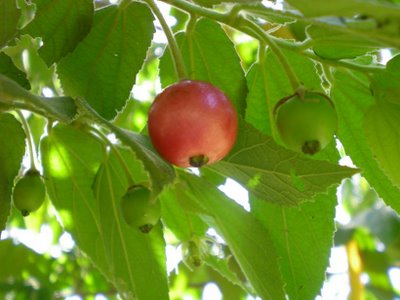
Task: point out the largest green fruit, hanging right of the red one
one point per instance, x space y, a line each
306 124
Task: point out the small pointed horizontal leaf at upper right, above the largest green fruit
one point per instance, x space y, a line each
332 43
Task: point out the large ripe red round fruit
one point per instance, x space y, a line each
192 123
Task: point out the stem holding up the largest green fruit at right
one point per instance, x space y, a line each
263 36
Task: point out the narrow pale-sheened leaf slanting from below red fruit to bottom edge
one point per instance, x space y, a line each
249 242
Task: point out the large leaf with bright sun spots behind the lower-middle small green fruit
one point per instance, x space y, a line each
87 199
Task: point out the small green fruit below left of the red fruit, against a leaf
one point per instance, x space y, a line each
137 209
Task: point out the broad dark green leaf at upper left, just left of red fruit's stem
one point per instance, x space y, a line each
102 68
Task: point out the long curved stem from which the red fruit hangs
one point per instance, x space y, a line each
172 44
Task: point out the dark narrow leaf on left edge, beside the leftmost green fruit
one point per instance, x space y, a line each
11 154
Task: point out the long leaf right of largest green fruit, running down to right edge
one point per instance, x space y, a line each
352 96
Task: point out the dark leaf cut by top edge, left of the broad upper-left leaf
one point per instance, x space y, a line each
61 24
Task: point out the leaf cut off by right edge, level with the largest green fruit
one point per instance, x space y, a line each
382 130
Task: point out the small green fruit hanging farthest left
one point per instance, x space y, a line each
29 192
